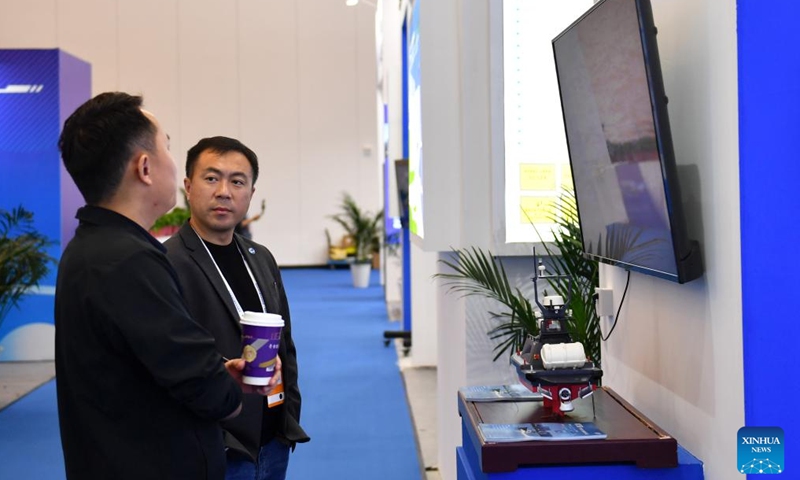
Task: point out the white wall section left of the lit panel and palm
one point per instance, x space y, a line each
454 54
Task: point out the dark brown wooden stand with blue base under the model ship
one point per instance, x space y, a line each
633 440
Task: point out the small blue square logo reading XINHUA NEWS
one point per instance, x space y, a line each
760 450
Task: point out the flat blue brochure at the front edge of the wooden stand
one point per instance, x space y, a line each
550 432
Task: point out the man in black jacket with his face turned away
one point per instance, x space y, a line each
141 386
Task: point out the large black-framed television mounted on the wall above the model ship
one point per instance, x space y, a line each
619 142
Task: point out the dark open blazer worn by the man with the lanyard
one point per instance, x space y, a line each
211 305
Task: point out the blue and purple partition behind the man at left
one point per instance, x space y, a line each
39 89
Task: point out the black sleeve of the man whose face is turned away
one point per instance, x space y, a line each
151 317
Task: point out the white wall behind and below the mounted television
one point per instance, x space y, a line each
677 352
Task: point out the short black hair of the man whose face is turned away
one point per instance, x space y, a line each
99 139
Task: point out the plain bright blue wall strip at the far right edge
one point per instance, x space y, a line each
769 102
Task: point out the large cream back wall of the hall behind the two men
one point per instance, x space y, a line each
294 80
